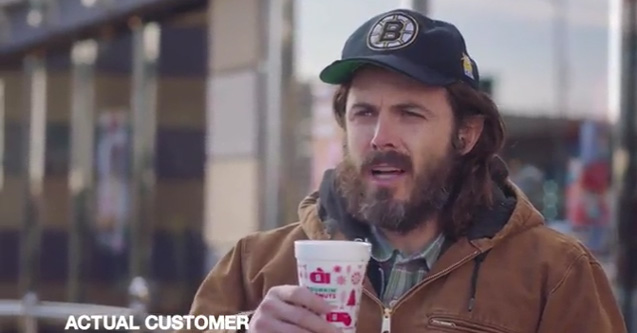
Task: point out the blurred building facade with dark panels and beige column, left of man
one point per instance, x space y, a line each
142 138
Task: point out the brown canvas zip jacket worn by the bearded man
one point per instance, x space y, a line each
524 277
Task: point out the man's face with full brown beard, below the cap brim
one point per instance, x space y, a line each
398 152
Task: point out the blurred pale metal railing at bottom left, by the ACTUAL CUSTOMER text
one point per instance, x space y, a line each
30 310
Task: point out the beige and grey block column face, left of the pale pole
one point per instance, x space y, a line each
235 122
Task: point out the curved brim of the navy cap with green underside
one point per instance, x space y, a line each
342 71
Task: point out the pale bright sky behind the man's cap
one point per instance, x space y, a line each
511 40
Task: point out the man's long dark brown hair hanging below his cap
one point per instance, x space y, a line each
475 173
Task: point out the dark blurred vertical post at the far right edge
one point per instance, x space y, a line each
625 159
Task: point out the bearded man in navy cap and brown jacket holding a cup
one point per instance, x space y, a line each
456 246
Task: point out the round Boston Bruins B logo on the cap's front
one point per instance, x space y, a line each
393 31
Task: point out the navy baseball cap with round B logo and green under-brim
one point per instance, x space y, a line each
430 51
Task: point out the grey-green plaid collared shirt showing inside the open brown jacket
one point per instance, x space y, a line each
401 273
